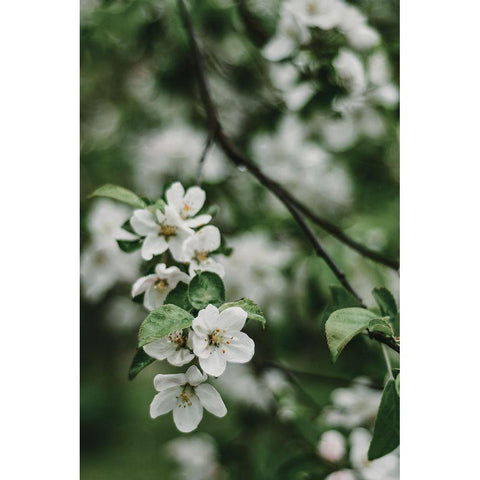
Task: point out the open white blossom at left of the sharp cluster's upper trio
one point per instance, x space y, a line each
162 231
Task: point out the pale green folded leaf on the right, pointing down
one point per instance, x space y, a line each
342 325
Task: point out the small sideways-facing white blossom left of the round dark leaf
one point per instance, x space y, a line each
158 285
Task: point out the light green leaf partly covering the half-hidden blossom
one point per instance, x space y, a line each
162 321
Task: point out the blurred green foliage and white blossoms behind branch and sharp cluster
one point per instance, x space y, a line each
322 120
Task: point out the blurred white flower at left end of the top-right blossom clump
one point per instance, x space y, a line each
291 33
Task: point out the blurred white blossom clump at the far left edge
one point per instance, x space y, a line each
103 264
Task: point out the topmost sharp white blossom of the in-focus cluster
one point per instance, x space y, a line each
188 204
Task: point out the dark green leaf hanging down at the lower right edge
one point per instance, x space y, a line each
386 434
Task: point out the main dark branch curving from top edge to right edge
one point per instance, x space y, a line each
241 160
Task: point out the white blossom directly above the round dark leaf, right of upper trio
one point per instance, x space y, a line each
198 249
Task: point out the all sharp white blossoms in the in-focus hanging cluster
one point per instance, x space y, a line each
215 336
